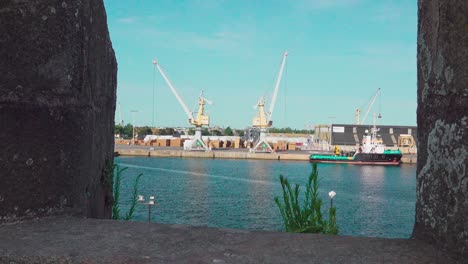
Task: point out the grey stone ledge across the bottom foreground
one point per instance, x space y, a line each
67 239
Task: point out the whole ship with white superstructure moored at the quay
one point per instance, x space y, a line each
371 152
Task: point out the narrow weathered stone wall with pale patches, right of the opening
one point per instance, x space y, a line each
442 182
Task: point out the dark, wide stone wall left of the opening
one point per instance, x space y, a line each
57 101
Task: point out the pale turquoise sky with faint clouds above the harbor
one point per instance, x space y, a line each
340 53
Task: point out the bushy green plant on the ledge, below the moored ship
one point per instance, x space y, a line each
305 216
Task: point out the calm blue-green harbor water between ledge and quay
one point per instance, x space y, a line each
371 200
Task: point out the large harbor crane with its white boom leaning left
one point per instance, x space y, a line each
200 120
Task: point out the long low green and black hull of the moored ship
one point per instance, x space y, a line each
360 159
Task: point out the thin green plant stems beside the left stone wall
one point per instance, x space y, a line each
115 205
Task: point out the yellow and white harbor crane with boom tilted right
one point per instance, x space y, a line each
263 119
